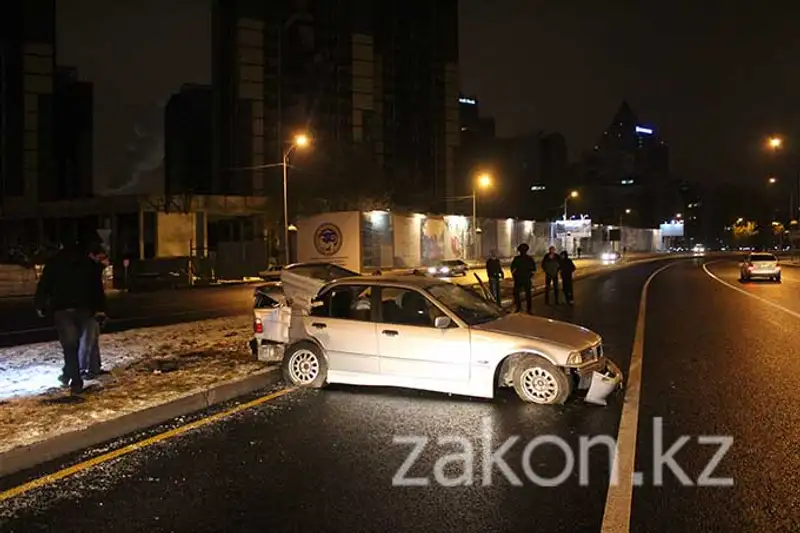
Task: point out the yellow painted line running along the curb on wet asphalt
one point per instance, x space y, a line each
125 450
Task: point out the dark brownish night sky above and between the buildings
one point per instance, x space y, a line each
713 79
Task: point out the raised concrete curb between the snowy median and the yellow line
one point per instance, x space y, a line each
25 457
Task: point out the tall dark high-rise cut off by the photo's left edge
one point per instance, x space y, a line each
27 63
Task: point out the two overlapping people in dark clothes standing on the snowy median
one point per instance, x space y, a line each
71 292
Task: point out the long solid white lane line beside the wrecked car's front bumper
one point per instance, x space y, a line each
617 513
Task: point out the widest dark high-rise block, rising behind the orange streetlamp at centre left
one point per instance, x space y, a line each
379 77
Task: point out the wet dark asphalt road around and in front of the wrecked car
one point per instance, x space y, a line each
716 361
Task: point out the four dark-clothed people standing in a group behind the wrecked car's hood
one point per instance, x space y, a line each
523 269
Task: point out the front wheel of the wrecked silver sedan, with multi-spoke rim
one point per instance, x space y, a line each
537 380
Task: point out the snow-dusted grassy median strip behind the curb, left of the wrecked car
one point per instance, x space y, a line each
148 367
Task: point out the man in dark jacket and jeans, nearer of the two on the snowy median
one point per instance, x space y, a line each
72 291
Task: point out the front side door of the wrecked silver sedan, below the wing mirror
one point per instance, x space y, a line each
412 347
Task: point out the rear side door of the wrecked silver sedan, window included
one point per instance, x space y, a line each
342 322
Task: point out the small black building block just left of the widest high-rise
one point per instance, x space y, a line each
188 141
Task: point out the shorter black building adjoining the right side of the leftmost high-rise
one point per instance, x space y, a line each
73 138
